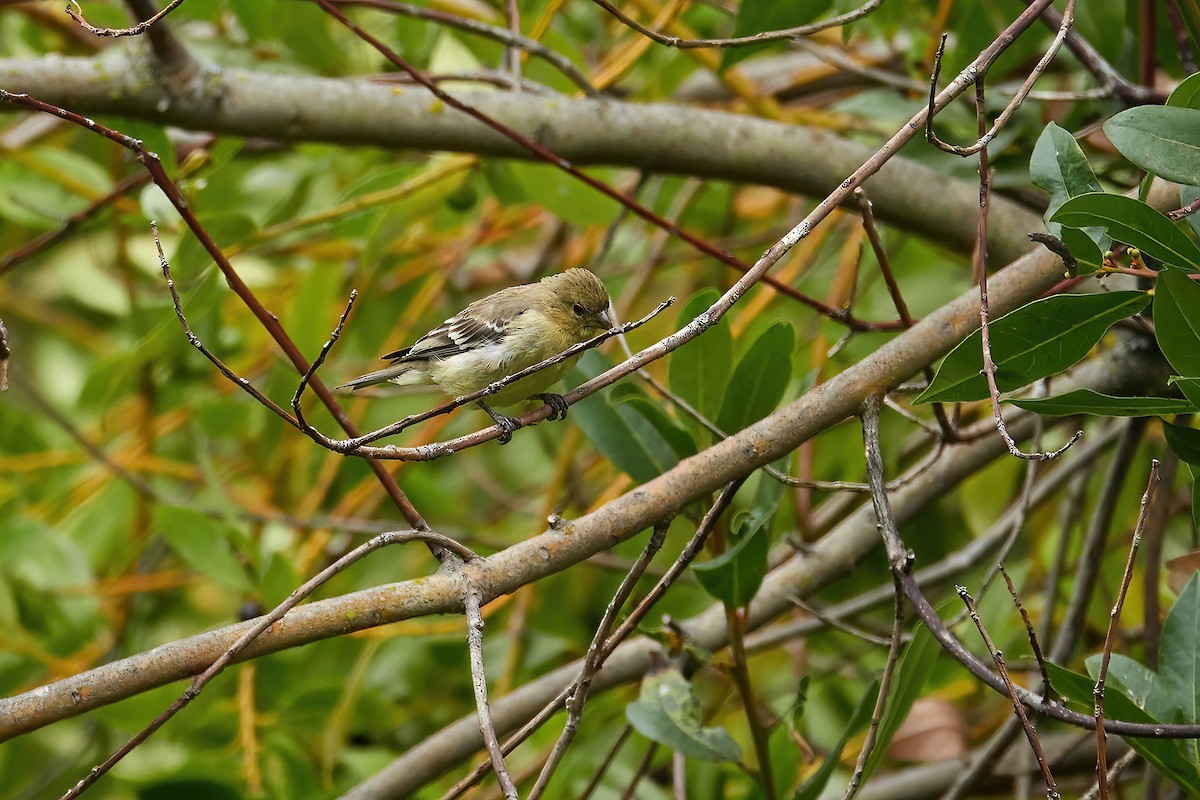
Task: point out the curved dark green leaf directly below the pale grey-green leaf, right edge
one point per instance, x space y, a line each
1135 224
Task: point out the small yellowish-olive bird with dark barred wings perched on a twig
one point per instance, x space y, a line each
502 335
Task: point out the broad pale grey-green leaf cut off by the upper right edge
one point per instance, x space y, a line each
1162 140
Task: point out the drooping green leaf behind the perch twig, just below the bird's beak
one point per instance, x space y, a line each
620 431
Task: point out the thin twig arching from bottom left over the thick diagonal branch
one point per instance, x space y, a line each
256 630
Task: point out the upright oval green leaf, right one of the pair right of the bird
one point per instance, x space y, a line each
760 380
